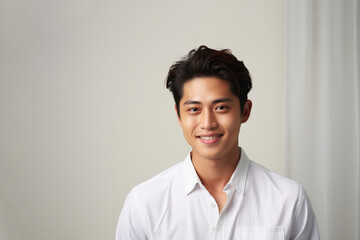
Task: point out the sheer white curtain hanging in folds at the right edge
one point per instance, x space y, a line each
322 110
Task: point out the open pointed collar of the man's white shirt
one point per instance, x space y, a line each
237 180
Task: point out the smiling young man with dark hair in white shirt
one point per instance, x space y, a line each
217 192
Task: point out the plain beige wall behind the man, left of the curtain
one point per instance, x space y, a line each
84 114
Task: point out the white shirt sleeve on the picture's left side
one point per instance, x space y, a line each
130 225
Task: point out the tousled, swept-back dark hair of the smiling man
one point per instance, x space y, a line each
207 62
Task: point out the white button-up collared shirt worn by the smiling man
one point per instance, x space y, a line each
175 205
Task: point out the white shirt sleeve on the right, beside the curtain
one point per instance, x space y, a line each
305 225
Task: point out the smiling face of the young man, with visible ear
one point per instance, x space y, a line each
211 118
